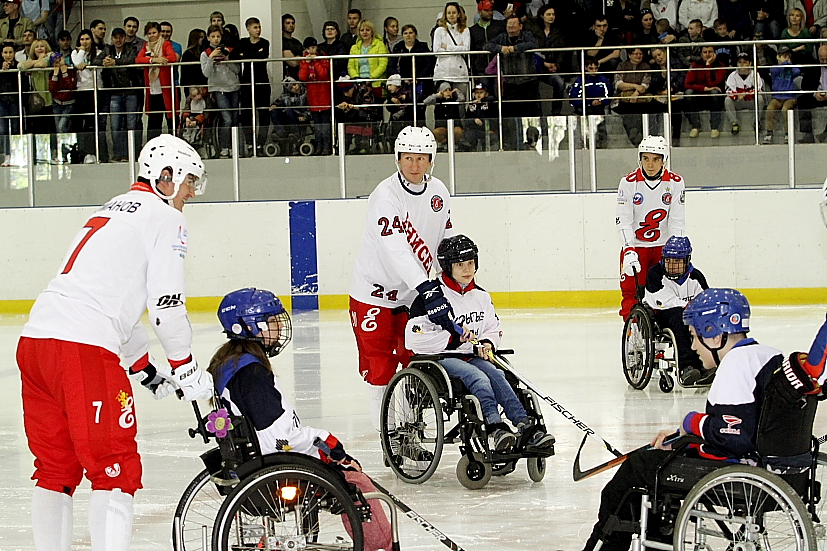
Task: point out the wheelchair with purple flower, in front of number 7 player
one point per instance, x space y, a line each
246 500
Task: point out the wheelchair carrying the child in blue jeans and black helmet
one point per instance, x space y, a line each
422 399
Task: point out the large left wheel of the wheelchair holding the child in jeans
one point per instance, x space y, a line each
413 430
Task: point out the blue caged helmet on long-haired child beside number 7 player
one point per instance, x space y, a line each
245 313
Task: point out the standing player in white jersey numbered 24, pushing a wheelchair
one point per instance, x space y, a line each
409 214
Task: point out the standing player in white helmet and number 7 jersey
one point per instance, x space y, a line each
78 409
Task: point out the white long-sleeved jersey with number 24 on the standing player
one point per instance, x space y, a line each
405 224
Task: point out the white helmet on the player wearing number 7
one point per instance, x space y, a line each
167 151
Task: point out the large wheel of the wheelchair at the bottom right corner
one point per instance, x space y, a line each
743 508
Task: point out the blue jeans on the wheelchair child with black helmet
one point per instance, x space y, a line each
488 384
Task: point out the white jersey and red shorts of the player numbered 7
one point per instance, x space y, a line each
78 407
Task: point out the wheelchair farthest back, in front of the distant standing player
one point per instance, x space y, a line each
646 346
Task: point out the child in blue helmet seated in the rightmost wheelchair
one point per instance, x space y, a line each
748 388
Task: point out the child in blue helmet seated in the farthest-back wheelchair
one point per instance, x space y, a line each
670 285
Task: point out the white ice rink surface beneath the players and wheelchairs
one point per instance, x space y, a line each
572 355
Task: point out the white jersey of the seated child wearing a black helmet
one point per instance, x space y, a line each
473 310
